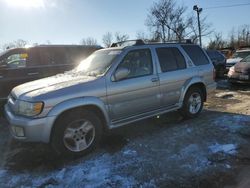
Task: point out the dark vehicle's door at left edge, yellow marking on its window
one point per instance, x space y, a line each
13 70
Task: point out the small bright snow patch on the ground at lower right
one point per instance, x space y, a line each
226 148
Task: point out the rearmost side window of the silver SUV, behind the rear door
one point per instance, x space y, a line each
196 54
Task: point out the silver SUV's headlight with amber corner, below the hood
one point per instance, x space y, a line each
29 108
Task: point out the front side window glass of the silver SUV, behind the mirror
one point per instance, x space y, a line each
138 63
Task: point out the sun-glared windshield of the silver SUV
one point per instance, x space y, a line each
98 62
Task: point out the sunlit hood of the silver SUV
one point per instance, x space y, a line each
53 83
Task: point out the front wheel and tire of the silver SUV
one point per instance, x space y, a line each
76 133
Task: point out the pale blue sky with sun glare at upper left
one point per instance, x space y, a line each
68 21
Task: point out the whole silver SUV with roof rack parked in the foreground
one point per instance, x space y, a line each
111 88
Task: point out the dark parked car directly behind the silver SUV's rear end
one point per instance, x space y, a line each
219 62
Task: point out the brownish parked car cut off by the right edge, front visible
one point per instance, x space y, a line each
240 72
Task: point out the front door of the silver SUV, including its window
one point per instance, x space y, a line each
138 93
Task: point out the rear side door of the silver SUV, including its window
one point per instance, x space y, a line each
173 75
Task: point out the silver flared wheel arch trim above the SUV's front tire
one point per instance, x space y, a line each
80 102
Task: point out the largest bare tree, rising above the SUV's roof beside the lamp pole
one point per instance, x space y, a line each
171 22
